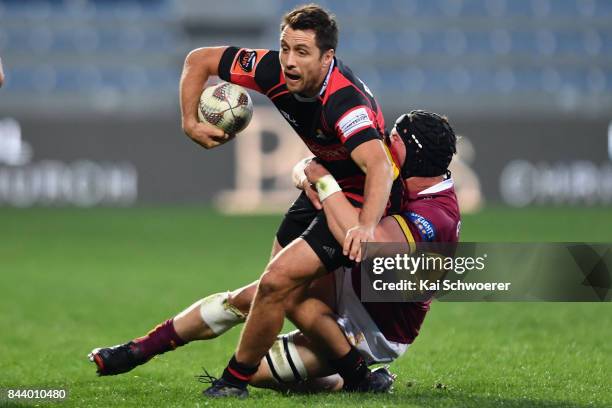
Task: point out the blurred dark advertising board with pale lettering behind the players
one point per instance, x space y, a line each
125 161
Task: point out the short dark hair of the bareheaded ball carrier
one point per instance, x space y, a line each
314 17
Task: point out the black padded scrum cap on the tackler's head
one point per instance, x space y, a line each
430 143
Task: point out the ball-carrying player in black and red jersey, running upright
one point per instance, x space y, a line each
338 118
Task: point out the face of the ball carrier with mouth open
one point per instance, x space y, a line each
303 65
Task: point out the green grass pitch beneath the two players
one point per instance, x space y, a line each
76 279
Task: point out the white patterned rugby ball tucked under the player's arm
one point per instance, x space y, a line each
226 106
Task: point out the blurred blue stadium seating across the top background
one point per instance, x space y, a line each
530 51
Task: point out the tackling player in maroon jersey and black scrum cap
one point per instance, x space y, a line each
423 144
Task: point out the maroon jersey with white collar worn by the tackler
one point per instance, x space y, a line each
431 215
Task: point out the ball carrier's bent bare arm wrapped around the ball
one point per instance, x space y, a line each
199 65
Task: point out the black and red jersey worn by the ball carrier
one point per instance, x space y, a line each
344 115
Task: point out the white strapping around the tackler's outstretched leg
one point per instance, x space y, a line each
218 314
